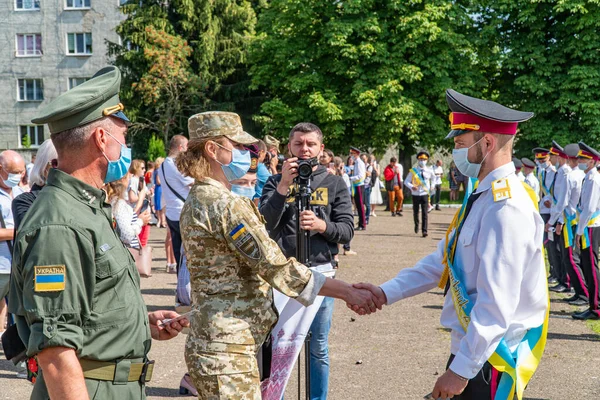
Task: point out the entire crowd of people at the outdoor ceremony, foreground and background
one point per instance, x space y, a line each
233 225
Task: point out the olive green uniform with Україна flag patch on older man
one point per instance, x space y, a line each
67 236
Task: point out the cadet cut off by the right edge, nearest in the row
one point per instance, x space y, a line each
588 228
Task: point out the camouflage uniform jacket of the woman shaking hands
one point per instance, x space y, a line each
233 264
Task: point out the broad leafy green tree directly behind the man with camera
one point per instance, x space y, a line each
368 72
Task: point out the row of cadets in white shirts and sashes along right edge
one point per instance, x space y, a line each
567 184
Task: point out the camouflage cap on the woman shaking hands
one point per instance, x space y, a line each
218 123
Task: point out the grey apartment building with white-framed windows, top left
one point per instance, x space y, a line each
46 48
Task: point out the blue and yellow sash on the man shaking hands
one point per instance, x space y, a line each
518 366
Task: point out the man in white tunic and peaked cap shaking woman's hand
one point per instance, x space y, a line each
498 257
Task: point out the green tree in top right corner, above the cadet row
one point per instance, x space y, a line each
547 56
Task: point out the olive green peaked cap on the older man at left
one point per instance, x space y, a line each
92 100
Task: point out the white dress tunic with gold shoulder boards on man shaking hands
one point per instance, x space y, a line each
500 252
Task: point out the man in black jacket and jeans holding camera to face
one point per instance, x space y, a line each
329 219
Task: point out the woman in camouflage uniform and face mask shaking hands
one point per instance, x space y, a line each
233 265
